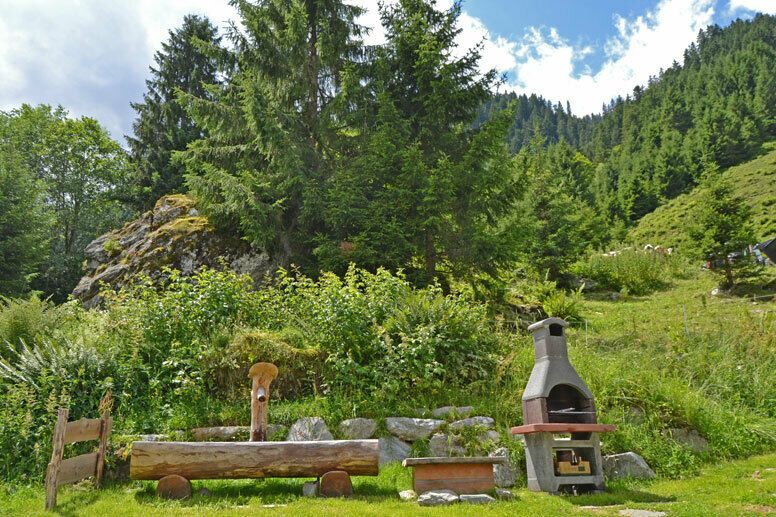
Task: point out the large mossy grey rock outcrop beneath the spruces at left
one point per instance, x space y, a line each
173 234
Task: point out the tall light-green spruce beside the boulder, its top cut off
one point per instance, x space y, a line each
272 130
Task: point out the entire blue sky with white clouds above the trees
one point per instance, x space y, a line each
92 56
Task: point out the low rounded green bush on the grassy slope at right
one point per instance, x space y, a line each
632 271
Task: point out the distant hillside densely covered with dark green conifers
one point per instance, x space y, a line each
711 111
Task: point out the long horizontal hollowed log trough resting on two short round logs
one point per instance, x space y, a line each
229 460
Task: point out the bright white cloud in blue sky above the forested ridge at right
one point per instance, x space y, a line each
546 61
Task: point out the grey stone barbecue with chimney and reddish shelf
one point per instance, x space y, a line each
556 401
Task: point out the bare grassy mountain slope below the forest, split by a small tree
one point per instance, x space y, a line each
755 181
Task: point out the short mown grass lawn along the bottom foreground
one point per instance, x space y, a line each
745 487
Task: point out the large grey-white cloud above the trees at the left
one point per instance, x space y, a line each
90 56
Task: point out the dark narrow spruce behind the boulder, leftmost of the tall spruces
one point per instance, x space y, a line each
162 125
